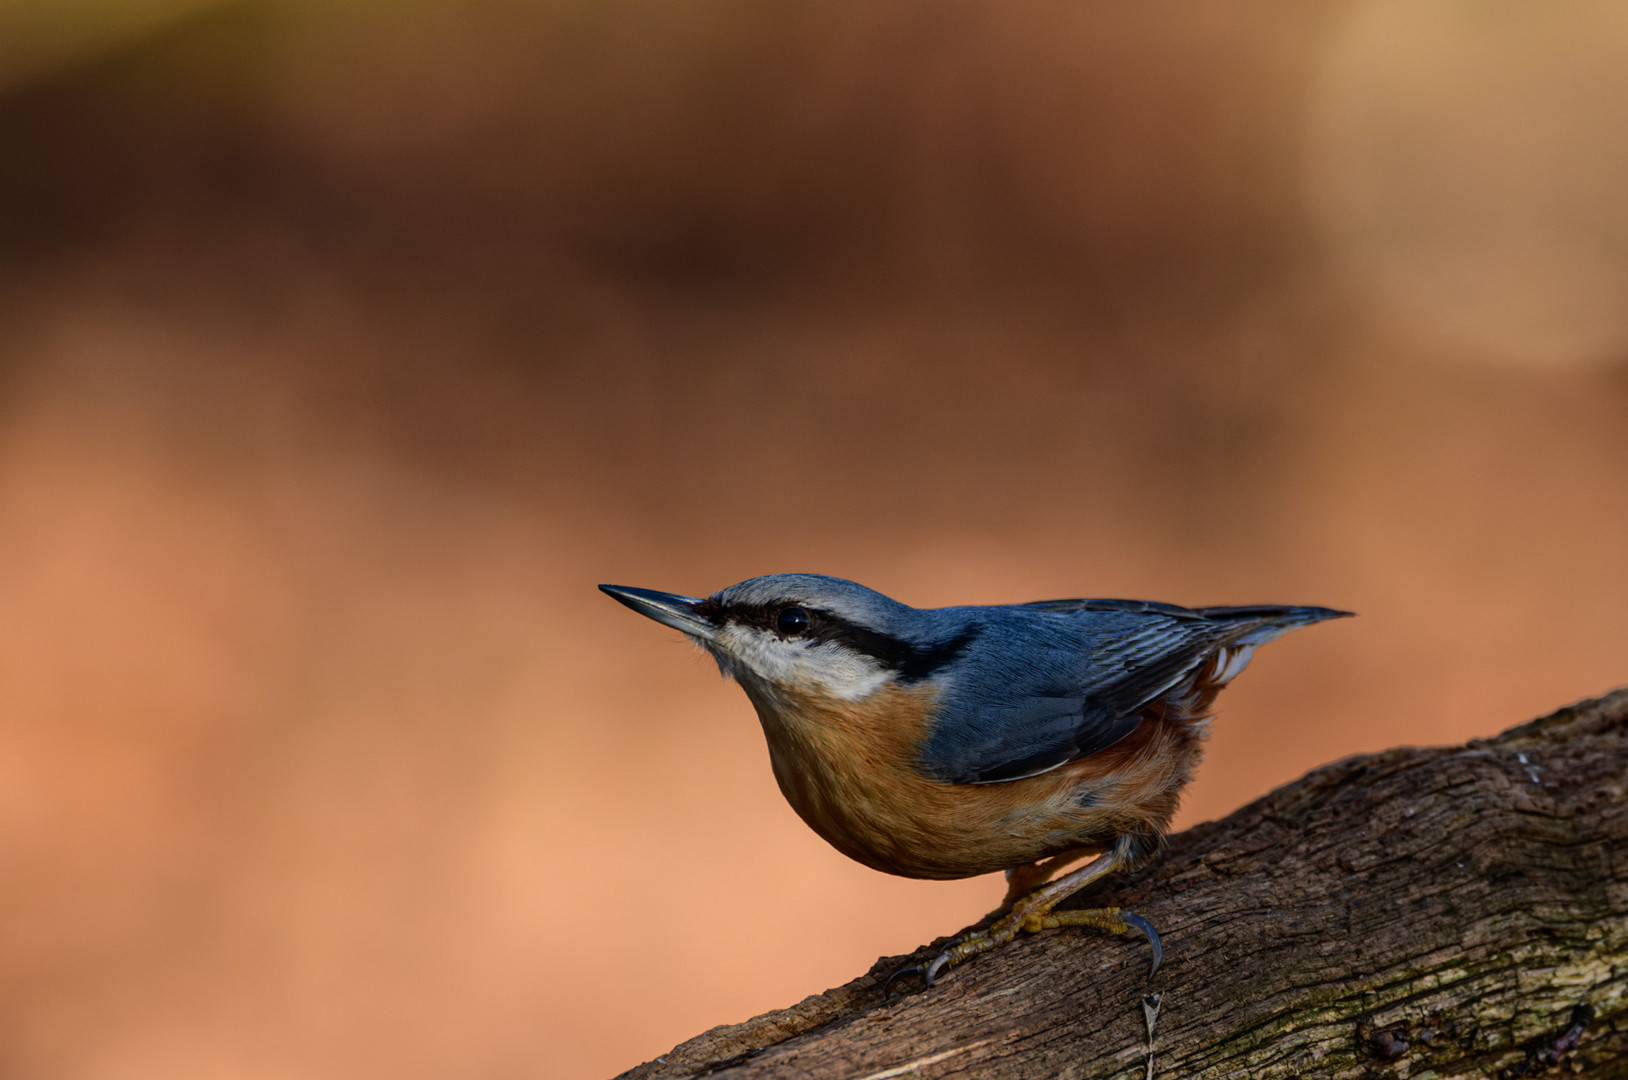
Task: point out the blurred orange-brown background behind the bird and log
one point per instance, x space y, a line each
344 348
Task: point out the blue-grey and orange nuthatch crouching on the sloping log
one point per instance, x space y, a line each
956 742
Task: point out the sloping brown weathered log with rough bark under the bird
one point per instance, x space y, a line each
1419 913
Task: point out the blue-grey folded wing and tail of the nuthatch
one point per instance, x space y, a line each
1054 682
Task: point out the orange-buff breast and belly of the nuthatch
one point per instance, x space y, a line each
849 771
